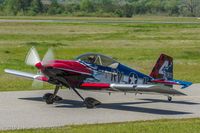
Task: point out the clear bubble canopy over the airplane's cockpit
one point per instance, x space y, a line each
98 59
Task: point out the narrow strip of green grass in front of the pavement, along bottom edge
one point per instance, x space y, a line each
155 126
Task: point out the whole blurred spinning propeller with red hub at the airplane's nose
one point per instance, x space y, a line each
33 59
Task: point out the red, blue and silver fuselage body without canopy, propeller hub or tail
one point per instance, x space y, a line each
78 71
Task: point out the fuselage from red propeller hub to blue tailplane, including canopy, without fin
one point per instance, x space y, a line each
97 68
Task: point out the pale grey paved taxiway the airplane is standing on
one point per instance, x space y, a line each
26 109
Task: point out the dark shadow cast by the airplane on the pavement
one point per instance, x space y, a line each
127 106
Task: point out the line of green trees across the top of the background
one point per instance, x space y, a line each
109 8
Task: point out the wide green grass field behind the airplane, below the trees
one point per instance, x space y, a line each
135 44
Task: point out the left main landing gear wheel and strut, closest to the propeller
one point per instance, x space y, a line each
51 98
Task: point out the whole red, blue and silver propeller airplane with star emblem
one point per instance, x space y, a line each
97 72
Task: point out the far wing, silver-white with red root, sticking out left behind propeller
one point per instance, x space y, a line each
26 75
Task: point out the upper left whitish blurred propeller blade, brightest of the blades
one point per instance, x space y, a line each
32 57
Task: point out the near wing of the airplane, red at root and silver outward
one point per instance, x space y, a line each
132 88
